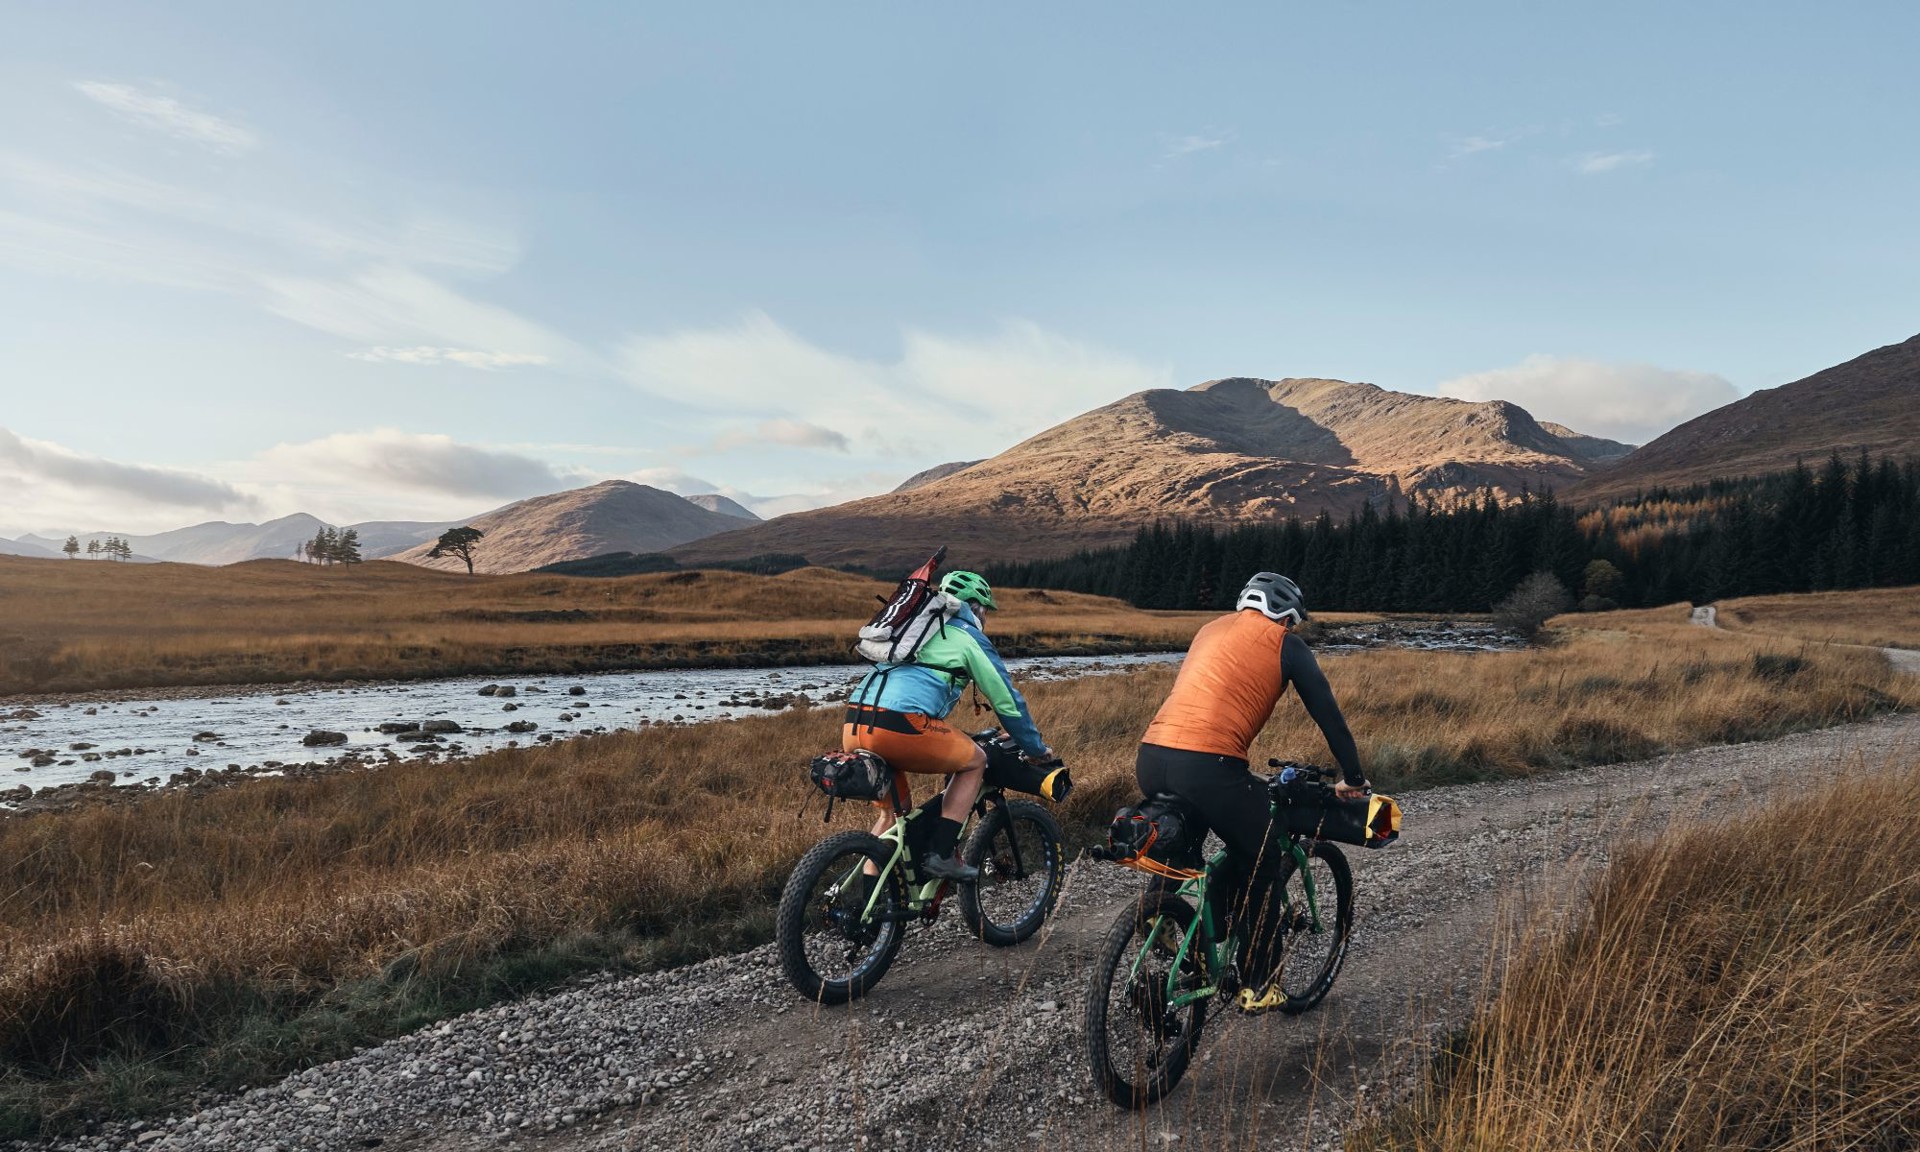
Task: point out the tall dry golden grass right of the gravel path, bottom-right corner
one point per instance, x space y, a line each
1740 986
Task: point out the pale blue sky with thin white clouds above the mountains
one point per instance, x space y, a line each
421 260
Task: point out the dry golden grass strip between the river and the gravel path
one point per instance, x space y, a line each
224 936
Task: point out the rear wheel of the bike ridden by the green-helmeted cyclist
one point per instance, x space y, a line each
834 940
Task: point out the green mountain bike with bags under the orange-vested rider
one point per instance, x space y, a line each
1170 953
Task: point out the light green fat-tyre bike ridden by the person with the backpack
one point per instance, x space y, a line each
840 928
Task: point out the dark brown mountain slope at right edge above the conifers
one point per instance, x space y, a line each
1871 402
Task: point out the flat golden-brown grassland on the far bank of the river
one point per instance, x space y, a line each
78 625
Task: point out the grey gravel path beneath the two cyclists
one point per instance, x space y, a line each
967 1047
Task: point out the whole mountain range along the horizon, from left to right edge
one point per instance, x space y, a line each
1222 452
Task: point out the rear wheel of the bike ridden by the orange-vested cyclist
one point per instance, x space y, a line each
1138 1044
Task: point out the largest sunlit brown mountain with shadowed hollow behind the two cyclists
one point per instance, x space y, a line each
1226 450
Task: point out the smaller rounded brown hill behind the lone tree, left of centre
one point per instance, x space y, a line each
615 516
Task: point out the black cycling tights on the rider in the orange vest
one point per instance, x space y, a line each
1234 804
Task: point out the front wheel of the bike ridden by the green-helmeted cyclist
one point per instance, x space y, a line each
1022 865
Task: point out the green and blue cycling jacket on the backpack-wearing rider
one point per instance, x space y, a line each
942 669
